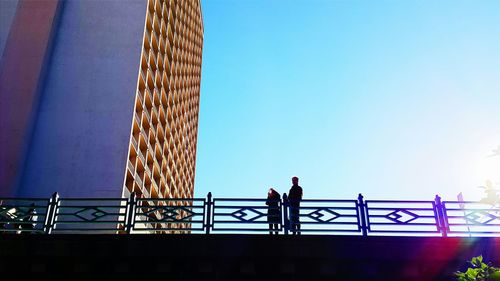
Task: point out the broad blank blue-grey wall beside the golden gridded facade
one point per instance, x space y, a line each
81 135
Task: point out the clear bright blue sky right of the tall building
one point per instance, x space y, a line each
392 99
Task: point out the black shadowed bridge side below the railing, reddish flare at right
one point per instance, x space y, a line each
246 257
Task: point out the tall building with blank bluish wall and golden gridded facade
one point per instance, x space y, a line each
99 98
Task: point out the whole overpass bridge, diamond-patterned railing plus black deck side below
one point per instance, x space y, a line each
228 238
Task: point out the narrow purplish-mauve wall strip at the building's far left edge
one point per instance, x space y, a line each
25 55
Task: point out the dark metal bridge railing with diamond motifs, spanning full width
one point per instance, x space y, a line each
247 215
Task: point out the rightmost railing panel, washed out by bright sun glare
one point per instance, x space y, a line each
472 218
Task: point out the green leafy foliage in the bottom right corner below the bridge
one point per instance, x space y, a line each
479 271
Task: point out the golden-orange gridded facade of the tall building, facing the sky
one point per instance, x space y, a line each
162 150
